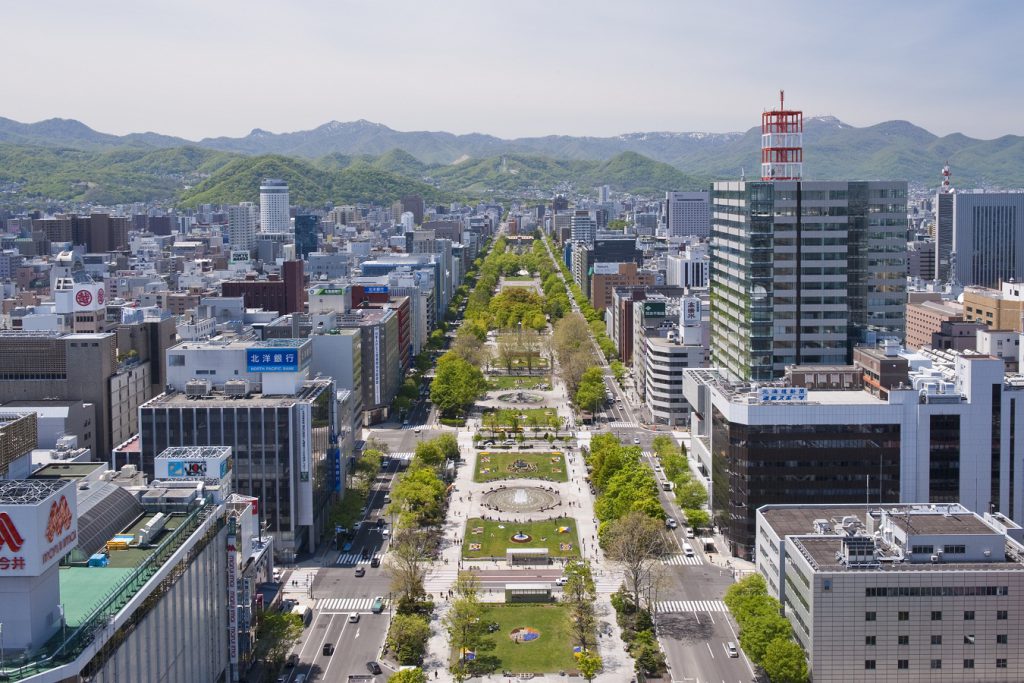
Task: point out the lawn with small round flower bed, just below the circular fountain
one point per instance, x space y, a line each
544 534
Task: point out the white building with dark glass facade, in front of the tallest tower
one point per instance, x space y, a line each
938 433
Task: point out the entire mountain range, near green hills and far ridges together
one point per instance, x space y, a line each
66 161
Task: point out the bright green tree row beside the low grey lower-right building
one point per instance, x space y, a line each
764 634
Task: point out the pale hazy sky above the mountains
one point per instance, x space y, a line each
208 68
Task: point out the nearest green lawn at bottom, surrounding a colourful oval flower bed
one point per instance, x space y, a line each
552 653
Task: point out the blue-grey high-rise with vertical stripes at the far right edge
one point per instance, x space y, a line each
988 238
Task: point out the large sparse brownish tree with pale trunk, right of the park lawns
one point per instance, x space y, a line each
637 543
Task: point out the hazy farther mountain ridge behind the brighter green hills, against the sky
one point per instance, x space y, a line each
897 150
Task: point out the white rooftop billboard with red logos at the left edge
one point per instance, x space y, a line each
35 536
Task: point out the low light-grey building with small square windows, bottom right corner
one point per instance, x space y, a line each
898 592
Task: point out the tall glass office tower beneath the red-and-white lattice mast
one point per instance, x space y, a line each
802 272
